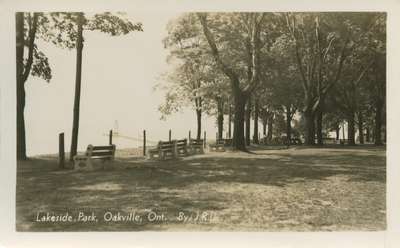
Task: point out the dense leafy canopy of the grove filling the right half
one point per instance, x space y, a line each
327 66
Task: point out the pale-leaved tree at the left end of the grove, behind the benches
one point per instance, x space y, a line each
190 68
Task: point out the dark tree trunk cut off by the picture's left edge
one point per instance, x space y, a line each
21 142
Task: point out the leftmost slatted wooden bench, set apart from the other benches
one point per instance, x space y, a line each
103 153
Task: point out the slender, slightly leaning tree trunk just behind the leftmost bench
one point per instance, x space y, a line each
78 78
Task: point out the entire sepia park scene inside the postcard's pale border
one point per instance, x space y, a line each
200 121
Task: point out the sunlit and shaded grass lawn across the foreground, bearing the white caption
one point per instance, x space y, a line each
296 189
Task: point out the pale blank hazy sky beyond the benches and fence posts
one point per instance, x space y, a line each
118 76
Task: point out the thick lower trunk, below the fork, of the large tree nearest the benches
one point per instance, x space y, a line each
238 127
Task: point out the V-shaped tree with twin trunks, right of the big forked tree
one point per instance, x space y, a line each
321 44
